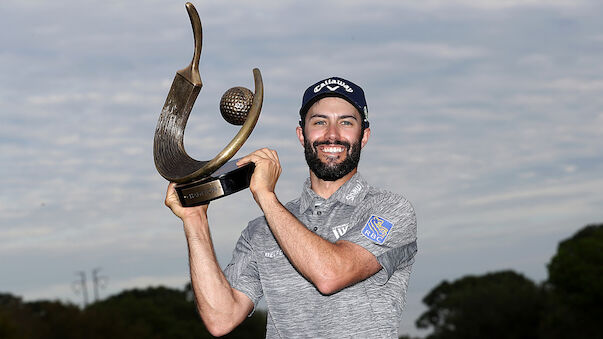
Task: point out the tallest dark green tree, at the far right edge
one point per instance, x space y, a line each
575 287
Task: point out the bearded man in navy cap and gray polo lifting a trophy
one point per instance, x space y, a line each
333 263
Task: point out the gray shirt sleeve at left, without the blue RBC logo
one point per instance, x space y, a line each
242 272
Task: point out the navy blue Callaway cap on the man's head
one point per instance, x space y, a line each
335 87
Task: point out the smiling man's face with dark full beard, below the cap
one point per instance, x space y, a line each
332 138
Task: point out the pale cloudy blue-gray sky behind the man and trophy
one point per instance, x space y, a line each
486 115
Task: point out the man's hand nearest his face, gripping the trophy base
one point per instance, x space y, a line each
266 173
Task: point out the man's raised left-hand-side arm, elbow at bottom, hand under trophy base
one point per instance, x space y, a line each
221 307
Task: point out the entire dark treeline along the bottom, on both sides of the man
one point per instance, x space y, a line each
501 304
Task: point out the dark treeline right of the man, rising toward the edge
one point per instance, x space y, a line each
568 305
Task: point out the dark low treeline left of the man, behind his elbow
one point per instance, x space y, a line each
155 313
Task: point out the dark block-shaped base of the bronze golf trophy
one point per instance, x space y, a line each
227 180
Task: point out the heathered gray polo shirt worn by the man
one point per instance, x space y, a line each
382 222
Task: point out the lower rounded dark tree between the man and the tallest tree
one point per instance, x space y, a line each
496 305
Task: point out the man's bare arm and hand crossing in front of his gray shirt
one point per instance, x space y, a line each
329 266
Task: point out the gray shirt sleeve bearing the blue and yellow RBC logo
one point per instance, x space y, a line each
386 226
